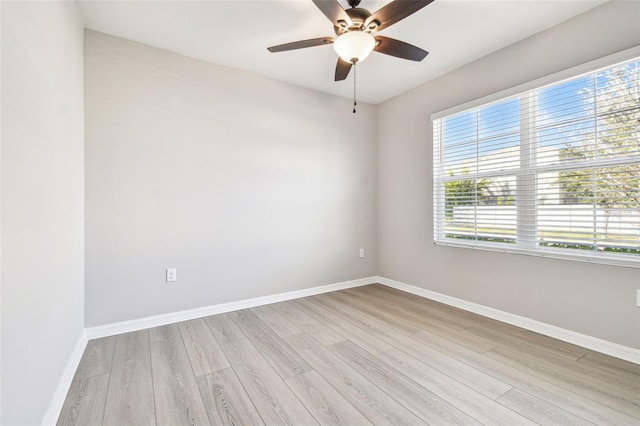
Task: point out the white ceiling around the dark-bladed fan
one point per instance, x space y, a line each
237 33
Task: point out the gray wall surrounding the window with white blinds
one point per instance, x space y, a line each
595 300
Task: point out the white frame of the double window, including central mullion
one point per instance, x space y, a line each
526 220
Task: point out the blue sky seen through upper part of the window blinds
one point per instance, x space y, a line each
564 113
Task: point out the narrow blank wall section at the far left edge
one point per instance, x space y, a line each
42 202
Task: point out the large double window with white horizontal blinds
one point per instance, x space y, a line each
553 170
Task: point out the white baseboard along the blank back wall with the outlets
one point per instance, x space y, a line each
158 320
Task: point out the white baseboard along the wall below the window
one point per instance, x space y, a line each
619 351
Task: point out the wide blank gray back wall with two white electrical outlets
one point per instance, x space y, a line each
247 186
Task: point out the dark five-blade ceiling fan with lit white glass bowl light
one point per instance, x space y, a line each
356 30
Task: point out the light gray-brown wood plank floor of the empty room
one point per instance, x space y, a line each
368 355
